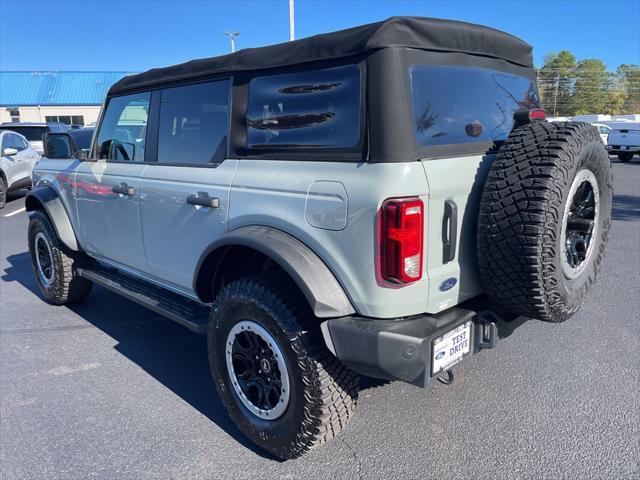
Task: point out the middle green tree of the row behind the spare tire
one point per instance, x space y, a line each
590 89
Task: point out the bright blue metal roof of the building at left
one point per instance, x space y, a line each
55 88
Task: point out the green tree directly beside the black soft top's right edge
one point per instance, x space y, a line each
555 80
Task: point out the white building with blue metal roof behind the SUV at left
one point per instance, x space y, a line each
68 97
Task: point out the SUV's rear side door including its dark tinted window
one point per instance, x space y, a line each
185 192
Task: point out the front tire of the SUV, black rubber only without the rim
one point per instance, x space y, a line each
67 287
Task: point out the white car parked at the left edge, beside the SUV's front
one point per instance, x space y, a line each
16 163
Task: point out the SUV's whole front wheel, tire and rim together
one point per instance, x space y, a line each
54 266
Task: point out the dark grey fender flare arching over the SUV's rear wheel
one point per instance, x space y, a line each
318 285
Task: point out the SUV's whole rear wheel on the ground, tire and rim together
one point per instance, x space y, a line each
279 383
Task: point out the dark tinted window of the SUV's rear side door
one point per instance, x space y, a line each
194 123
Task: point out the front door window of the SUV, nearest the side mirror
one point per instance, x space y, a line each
124 128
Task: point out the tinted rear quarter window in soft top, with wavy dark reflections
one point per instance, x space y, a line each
318 108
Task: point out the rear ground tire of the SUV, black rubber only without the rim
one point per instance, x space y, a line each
323 391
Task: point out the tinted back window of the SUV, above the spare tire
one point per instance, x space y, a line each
462 104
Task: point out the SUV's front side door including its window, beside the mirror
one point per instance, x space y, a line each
107 188
